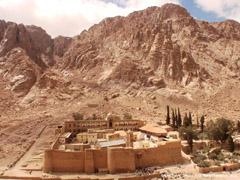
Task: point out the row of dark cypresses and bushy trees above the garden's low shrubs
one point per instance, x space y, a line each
219 130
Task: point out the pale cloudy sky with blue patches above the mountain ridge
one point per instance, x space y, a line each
71 17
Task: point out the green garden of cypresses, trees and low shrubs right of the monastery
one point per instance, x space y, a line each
220 131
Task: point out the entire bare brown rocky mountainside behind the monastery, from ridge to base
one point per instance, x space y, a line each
137 64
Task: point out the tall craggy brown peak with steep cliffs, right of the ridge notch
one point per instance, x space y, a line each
165 41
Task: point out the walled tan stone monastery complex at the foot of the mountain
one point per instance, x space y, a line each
111 146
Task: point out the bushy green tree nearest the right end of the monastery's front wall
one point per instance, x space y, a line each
188 133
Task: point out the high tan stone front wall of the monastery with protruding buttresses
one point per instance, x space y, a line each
116 160
